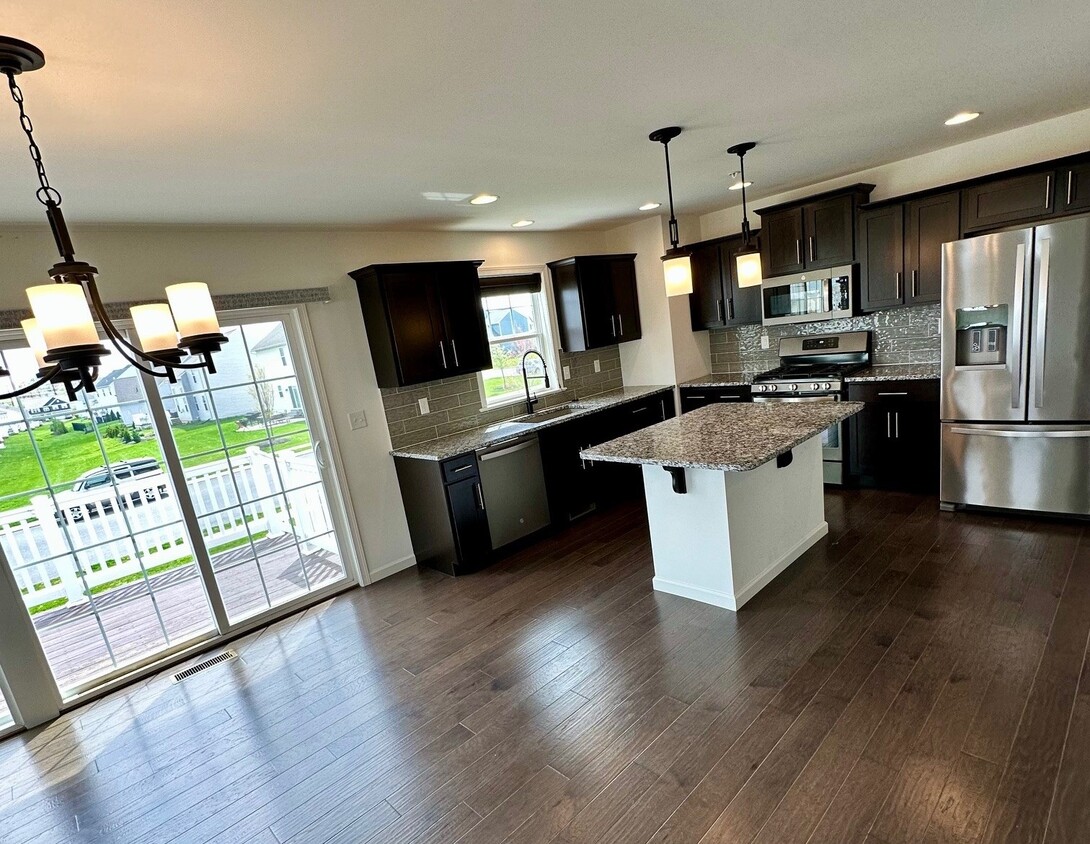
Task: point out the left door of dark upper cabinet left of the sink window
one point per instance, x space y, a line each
416 324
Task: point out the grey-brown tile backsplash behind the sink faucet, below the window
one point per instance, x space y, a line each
455 404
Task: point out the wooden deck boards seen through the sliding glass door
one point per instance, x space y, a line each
74 640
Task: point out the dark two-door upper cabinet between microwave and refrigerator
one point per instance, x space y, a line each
901 251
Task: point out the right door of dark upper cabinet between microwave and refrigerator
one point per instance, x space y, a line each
929 223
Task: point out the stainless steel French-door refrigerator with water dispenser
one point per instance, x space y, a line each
1016 370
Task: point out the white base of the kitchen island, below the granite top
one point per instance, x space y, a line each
731 534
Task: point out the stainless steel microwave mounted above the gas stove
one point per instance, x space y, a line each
809 297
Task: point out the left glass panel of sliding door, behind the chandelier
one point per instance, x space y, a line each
91 526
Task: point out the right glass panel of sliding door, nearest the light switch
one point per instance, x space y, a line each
253 472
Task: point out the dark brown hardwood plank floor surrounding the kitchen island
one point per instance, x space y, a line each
915 678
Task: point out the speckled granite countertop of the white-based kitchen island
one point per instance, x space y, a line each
725 438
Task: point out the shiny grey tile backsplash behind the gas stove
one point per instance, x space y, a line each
903 335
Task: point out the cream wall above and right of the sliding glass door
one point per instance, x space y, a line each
138 262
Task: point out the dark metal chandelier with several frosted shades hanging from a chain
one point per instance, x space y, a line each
64 334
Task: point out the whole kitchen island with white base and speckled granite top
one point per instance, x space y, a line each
735 493
